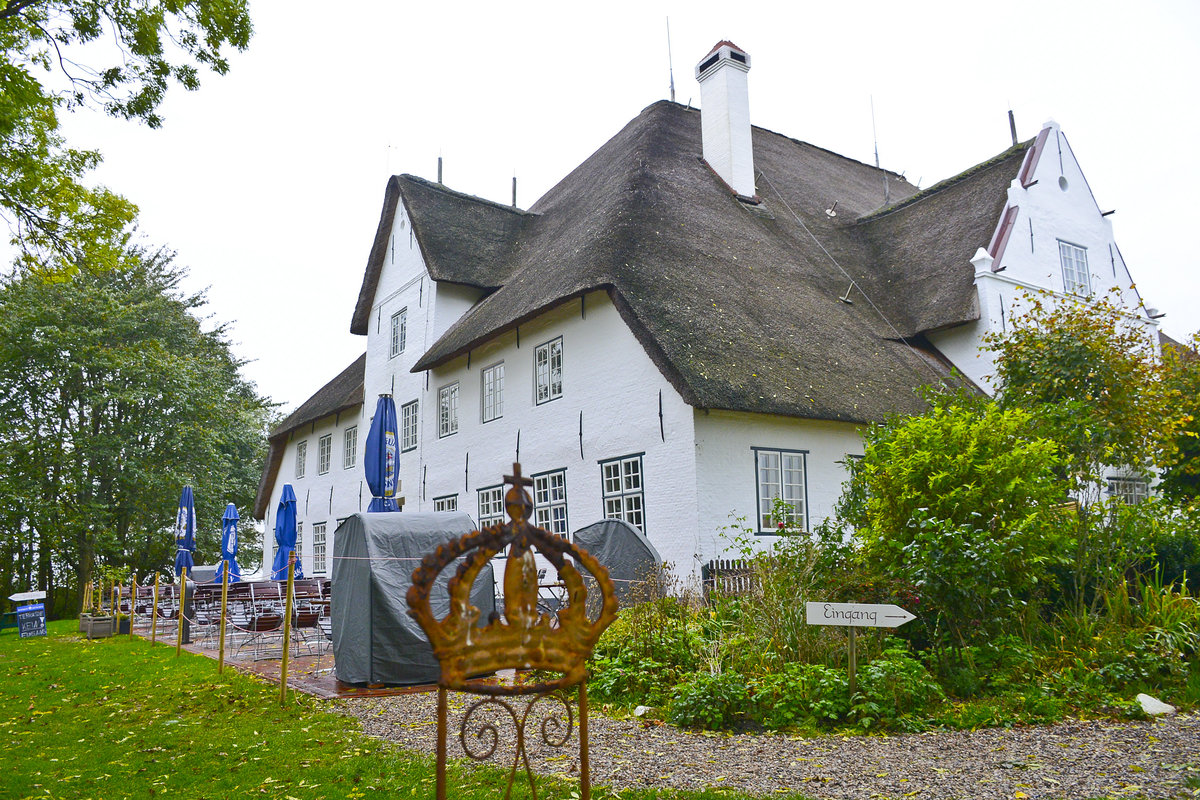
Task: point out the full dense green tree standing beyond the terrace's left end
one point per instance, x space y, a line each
115 398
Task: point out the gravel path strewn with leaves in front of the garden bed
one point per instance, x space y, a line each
1073 760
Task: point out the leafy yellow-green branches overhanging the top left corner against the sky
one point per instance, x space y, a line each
53 216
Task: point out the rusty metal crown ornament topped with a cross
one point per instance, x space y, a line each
523 637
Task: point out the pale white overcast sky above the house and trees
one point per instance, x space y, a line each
268 183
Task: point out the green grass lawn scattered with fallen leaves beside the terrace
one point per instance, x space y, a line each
116 718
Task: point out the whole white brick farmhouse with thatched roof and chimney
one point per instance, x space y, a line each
697 321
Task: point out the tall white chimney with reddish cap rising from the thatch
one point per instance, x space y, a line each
725 116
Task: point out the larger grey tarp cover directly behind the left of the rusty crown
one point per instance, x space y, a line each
375 555
